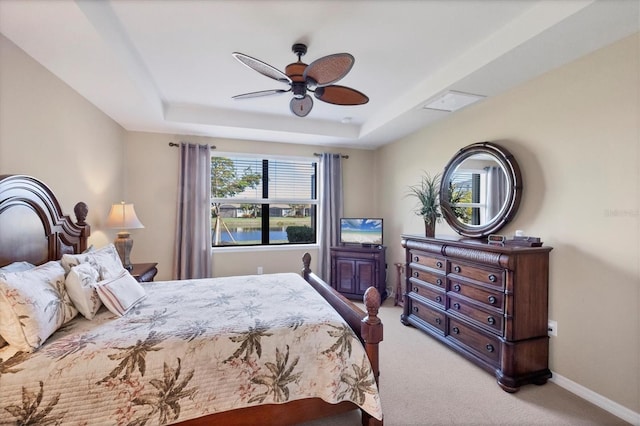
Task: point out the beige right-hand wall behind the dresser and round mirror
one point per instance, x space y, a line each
576 135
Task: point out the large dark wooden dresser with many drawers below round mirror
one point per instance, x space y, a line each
489 303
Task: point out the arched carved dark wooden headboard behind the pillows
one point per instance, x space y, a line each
32 225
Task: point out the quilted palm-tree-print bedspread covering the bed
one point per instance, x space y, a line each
191 348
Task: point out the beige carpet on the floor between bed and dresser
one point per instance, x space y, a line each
422 382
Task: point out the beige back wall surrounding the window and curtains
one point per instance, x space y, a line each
152 185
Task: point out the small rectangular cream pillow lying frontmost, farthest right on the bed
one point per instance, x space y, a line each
120 294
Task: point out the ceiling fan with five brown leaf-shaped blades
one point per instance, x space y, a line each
317 78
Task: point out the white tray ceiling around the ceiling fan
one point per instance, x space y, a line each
166 65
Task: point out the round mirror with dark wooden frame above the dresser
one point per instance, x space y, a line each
480 190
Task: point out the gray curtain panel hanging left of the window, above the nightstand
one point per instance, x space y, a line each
192 257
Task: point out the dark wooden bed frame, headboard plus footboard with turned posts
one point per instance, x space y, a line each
33 228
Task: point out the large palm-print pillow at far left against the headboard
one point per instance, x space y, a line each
33 305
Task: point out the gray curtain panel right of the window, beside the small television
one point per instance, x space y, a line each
331 210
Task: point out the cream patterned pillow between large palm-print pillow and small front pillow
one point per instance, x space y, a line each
80 284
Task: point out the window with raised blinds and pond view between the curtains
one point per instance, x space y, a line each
262 201
